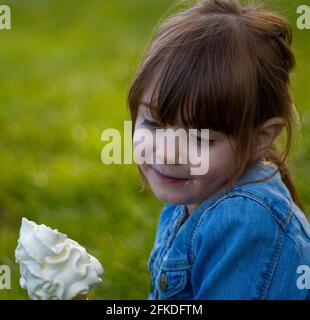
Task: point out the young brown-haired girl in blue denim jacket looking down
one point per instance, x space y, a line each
238 231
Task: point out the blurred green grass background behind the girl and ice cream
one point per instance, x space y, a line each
65 68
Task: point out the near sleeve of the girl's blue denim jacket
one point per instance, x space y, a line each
237 249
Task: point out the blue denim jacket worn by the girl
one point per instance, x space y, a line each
243 243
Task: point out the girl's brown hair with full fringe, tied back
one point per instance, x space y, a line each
225 67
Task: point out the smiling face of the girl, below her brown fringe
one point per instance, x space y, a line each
174 183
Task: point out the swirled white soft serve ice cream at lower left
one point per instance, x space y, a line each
53 267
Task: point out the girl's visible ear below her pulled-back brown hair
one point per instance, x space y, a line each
267 133
